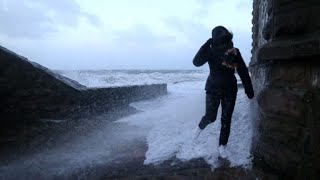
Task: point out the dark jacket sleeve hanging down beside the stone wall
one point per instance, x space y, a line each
244 76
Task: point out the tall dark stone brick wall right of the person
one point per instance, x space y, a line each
285 70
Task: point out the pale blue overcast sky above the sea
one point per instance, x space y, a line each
119 34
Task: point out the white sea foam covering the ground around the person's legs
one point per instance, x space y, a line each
171 121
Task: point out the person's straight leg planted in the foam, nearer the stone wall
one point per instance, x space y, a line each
227 103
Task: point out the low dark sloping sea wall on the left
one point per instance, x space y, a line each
30 92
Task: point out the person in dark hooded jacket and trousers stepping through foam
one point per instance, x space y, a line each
221 86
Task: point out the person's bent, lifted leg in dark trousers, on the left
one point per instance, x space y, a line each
212 105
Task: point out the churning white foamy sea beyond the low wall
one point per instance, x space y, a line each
109 78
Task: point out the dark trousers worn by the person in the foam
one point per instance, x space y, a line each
227 98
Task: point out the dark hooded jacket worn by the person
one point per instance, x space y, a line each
222 77
